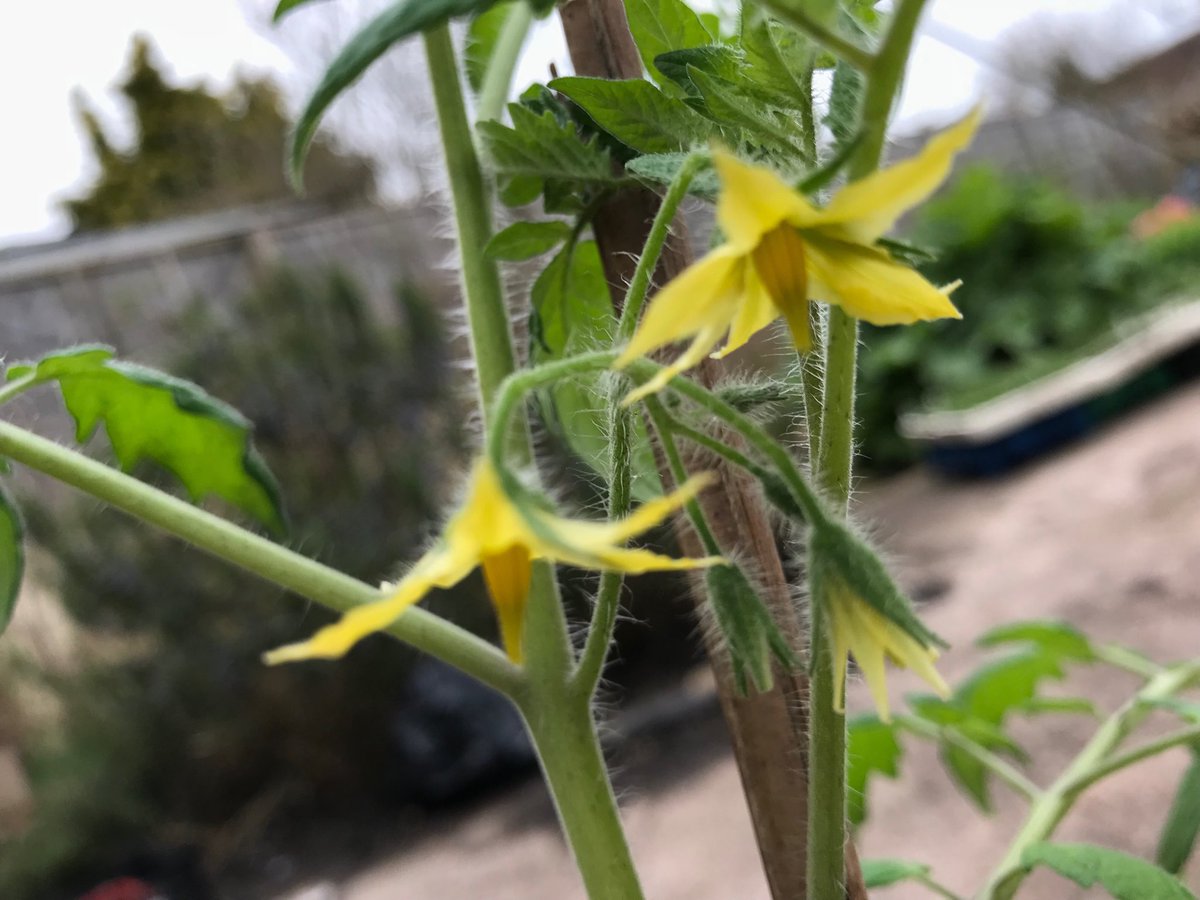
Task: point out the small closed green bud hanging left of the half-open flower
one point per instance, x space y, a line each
751 633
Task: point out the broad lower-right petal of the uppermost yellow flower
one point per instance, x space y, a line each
872 286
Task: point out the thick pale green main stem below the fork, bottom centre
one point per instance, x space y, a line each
566 737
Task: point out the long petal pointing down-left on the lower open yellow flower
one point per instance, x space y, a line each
435 569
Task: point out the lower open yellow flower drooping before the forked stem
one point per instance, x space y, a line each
490 532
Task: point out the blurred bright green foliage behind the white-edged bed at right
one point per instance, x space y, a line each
1045 275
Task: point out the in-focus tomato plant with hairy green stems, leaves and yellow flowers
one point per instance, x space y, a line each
578 145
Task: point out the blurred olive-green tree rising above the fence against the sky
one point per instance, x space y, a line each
195 152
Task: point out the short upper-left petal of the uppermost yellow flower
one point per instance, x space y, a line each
754 201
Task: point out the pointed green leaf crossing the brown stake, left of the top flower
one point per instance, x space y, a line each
638 115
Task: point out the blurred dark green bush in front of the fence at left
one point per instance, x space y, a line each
178 731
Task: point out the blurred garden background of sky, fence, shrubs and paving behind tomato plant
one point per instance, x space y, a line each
143 745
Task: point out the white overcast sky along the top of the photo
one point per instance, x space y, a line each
50 50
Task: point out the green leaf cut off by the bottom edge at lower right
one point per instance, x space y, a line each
1124 877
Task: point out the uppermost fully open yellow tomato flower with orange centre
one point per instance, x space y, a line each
781 251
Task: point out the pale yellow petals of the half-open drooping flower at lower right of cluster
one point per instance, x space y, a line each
857 628
